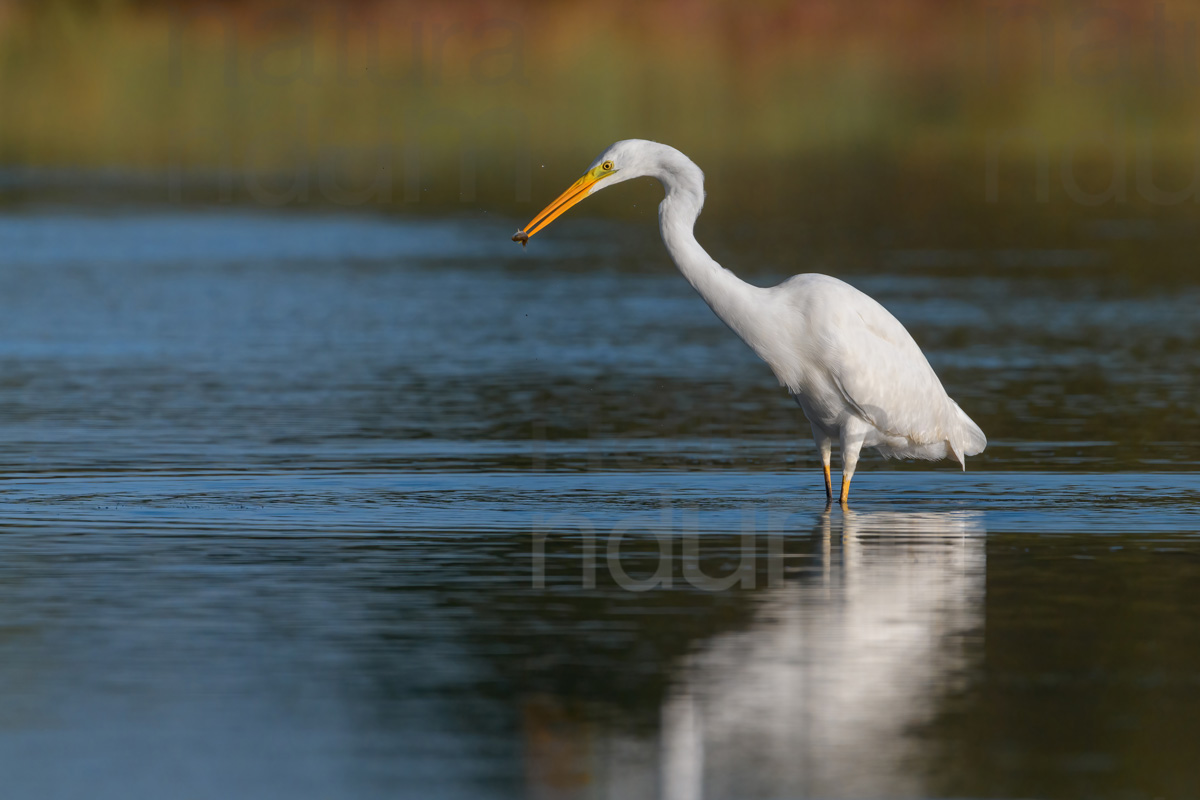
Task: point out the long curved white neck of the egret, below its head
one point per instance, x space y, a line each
739 304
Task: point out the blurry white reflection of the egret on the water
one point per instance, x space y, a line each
819 694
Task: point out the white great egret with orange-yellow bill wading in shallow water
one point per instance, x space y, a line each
851 365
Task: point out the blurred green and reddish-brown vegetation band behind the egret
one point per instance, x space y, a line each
823 127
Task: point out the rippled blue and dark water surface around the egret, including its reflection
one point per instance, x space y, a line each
323 507
